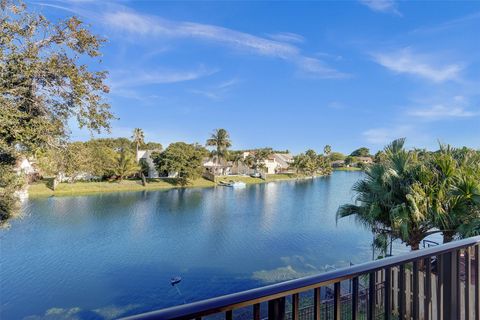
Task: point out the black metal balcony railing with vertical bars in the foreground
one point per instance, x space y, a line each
440 282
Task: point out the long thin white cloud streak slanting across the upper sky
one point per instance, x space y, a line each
147 25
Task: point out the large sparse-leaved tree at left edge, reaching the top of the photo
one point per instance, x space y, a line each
43 84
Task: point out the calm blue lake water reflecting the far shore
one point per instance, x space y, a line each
103 256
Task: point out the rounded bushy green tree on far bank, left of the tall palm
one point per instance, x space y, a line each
185 160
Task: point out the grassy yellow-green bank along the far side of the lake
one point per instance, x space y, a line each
40 189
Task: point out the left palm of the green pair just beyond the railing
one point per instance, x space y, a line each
392 198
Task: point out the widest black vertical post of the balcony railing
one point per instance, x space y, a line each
449 285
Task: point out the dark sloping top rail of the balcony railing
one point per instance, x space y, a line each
261 294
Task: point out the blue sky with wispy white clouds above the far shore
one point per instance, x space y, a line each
290 75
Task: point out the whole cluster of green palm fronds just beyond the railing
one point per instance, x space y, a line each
409 193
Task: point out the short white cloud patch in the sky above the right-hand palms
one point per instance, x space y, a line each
405 61
